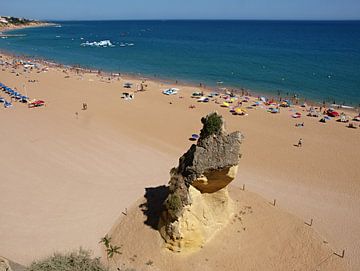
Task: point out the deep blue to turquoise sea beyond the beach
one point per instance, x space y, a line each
318 60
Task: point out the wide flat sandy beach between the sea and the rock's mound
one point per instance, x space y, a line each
67 173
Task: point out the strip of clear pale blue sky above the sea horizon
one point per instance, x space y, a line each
182 9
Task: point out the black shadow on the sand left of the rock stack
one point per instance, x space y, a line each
152 208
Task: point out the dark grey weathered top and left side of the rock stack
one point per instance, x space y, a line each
208 166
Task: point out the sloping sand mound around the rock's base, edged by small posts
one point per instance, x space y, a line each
259 237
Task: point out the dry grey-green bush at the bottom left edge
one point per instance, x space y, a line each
75 261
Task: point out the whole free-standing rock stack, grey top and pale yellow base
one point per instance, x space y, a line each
198 204
